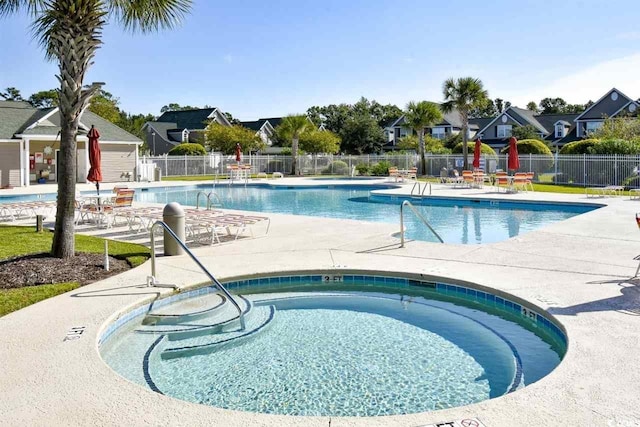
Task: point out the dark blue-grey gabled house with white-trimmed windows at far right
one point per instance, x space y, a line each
559 129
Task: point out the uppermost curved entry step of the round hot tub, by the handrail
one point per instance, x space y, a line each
189 309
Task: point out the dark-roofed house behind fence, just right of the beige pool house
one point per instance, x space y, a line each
175 127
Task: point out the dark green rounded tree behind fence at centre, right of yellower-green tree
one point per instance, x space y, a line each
361 134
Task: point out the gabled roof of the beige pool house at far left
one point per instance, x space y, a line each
20 118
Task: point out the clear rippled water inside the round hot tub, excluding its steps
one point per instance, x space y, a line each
344 353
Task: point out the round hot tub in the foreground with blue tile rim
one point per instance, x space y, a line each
340 345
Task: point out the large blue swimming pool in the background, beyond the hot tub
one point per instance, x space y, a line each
456 220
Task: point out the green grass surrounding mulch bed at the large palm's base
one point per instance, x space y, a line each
18 241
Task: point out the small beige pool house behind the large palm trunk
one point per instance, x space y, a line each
30 145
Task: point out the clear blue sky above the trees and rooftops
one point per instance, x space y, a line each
264 59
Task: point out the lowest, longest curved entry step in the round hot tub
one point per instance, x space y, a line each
256 321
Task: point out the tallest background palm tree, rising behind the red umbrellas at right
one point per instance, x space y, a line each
463 95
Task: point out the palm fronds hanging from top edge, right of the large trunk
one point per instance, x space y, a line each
149 15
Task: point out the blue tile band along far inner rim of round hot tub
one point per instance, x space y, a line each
532 318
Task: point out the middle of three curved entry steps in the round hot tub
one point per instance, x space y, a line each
180 327
